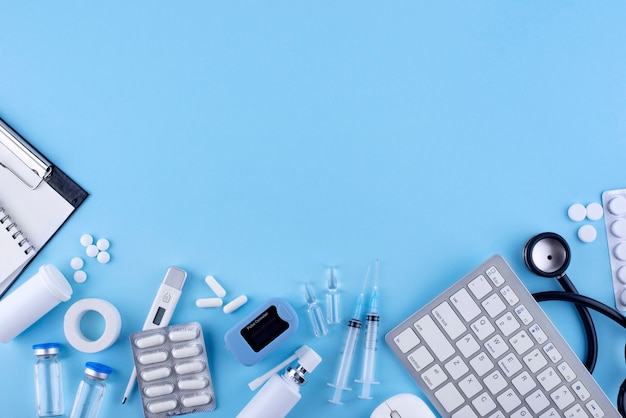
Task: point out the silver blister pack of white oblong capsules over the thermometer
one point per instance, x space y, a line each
173 370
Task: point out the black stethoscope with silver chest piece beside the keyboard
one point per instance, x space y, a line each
548 255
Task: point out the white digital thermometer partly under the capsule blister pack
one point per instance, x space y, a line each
162 309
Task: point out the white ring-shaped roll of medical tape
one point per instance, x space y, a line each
112 327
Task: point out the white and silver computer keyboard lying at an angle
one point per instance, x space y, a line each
484 348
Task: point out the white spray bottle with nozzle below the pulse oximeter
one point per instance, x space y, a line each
281 393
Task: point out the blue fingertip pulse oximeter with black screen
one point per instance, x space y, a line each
261 331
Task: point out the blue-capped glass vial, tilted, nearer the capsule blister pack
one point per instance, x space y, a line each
90 391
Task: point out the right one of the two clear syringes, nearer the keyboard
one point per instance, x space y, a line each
371 340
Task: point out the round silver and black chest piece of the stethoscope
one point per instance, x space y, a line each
547 254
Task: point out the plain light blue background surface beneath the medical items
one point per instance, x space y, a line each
262 142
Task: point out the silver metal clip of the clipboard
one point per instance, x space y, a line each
28 155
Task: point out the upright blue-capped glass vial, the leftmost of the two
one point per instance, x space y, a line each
48 380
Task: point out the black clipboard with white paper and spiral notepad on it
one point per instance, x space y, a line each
36 199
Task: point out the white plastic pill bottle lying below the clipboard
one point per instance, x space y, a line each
32 300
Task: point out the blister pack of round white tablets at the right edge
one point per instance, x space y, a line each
614 202
